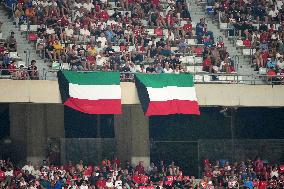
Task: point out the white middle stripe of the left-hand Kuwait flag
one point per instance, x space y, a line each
94 92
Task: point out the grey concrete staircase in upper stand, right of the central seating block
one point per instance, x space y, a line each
197 12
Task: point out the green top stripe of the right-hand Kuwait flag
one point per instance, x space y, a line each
163 80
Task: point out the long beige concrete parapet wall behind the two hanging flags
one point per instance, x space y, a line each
44 91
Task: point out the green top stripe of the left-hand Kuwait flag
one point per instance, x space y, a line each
92 78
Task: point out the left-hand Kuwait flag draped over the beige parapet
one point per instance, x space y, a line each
91 92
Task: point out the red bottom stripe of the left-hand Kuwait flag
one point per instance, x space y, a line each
105 106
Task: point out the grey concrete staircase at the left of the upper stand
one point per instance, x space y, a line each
26 51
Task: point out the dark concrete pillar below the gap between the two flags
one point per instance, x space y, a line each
132 135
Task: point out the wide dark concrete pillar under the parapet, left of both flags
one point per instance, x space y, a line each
30 127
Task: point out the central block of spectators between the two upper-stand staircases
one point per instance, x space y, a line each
150 36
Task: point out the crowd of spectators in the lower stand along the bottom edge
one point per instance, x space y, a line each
111 174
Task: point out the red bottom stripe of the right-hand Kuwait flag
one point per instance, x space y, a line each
172 107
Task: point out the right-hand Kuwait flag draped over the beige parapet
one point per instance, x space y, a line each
165 94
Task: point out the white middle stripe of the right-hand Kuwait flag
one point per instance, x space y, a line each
172 93
